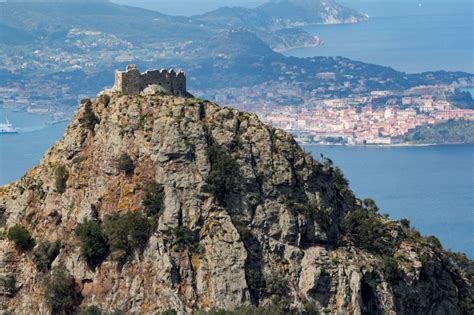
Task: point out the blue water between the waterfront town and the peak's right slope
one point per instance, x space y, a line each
431 186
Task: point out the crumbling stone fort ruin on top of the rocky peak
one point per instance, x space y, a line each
132 82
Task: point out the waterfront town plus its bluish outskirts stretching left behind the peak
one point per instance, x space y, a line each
378 117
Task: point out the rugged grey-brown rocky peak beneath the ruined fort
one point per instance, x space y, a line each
269 224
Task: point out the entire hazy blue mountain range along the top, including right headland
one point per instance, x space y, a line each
53 19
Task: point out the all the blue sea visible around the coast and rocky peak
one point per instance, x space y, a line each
432 186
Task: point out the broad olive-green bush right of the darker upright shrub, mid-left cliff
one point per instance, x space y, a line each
126 233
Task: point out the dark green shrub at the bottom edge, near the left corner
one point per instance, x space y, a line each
61 292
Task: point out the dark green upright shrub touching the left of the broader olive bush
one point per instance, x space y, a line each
94 247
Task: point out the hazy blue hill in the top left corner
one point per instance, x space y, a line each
52 20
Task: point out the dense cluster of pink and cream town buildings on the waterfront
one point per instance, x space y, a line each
354 121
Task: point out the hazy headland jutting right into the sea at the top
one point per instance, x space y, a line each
275 21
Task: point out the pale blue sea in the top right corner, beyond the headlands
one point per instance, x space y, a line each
401 34
